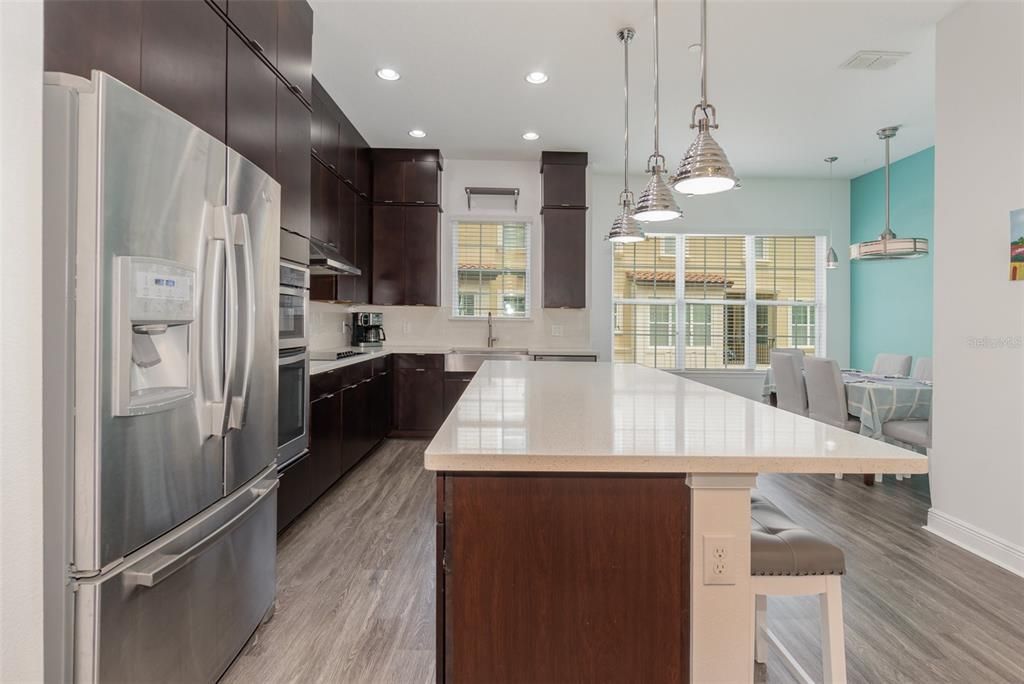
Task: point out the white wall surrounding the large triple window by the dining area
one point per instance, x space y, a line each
762 206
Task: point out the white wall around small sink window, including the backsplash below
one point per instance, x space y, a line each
428 325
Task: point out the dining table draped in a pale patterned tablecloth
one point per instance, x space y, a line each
876 400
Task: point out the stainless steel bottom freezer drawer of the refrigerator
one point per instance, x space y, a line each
183 608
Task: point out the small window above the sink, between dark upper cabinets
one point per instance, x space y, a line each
491 270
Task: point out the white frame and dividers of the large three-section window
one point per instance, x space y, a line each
750 303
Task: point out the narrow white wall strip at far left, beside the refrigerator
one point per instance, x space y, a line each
21 338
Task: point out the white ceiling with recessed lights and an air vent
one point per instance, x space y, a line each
784 103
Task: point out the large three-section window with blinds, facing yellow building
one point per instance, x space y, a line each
739 297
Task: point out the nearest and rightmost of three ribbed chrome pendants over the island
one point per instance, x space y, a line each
705 169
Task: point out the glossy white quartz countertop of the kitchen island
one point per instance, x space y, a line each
569 417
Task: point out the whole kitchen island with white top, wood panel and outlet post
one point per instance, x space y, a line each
575 502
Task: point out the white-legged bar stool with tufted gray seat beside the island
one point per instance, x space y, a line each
788 561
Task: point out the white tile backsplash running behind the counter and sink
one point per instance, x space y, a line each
556 329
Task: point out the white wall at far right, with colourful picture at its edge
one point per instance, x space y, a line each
977 463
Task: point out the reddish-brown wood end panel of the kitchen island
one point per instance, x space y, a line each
566 579
